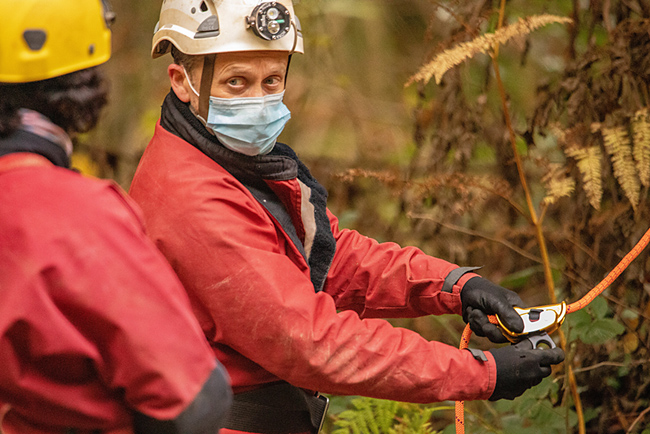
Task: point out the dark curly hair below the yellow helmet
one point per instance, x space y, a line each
73 101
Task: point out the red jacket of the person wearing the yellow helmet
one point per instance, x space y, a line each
86 336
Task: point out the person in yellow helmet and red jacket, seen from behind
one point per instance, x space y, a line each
96 331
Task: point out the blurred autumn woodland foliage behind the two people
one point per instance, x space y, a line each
431 165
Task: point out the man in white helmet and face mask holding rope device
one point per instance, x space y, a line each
289 302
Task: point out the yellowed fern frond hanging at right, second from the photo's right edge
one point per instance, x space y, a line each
618 146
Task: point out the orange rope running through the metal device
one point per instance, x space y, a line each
573 307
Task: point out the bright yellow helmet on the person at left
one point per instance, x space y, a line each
46 39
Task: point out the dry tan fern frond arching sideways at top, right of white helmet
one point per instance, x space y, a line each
446 60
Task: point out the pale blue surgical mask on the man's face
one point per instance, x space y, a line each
249 126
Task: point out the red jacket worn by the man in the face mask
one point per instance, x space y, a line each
251 291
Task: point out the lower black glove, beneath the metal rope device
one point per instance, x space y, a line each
520 367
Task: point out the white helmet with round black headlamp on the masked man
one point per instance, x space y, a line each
200 27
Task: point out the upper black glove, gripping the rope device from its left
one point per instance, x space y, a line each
481 298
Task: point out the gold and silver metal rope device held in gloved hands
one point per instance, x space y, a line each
539 322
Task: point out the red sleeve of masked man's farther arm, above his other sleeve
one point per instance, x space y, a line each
384 280
